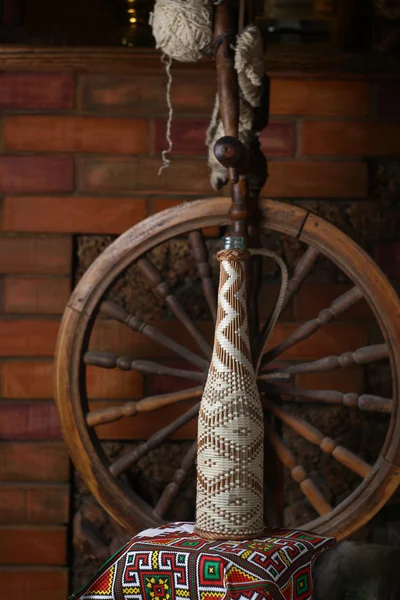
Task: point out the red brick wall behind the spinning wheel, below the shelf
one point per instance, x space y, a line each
79 154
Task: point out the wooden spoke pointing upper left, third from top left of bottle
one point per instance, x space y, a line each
116 312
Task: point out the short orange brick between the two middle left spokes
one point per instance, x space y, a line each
113 383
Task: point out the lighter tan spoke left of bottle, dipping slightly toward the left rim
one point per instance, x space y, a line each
130 409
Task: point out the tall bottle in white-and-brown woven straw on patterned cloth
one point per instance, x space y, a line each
230 428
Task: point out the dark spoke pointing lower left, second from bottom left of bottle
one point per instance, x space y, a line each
127 461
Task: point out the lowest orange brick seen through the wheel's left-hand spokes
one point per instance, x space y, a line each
142 426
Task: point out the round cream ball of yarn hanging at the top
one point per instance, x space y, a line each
182 28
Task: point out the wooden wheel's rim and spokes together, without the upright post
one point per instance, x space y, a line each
107 480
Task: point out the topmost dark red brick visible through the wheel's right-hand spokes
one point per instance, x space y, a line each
314 297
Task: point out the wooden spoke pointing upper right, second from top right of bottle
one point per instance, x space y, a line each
338 306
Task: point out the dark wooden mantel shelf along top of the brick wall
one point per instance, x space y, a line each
287 61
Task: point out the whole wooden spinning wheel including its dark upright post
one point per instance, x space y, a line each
97 302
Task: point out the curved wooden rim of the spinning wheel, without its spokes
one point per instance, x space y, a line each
121 502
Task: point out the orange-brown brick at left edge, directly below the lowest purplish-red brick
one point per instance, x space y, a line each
34 461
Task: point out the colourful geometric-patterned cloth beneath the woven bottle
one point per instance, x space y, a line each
173 563
